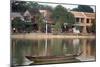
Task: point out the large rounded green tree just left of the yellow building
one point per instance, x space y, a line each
60 16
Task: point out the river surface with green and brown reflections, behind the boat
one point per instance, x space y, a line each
52 47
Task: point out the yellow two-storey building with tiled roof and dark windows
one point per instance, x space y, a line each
83 19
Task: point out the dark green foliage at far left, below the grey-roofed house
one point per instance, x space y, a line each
21 26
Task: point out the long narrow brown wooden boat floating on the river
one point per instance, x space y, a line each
52 58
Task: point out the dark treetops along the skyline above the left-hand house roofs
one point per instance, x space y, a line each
22 6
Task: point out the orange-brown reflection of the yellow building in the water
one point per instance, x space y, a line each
88 48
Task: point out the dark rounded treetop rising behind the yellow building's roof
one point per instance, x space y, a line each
83 8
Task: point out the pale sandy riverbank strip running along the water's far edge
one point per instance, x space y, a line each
44 36
